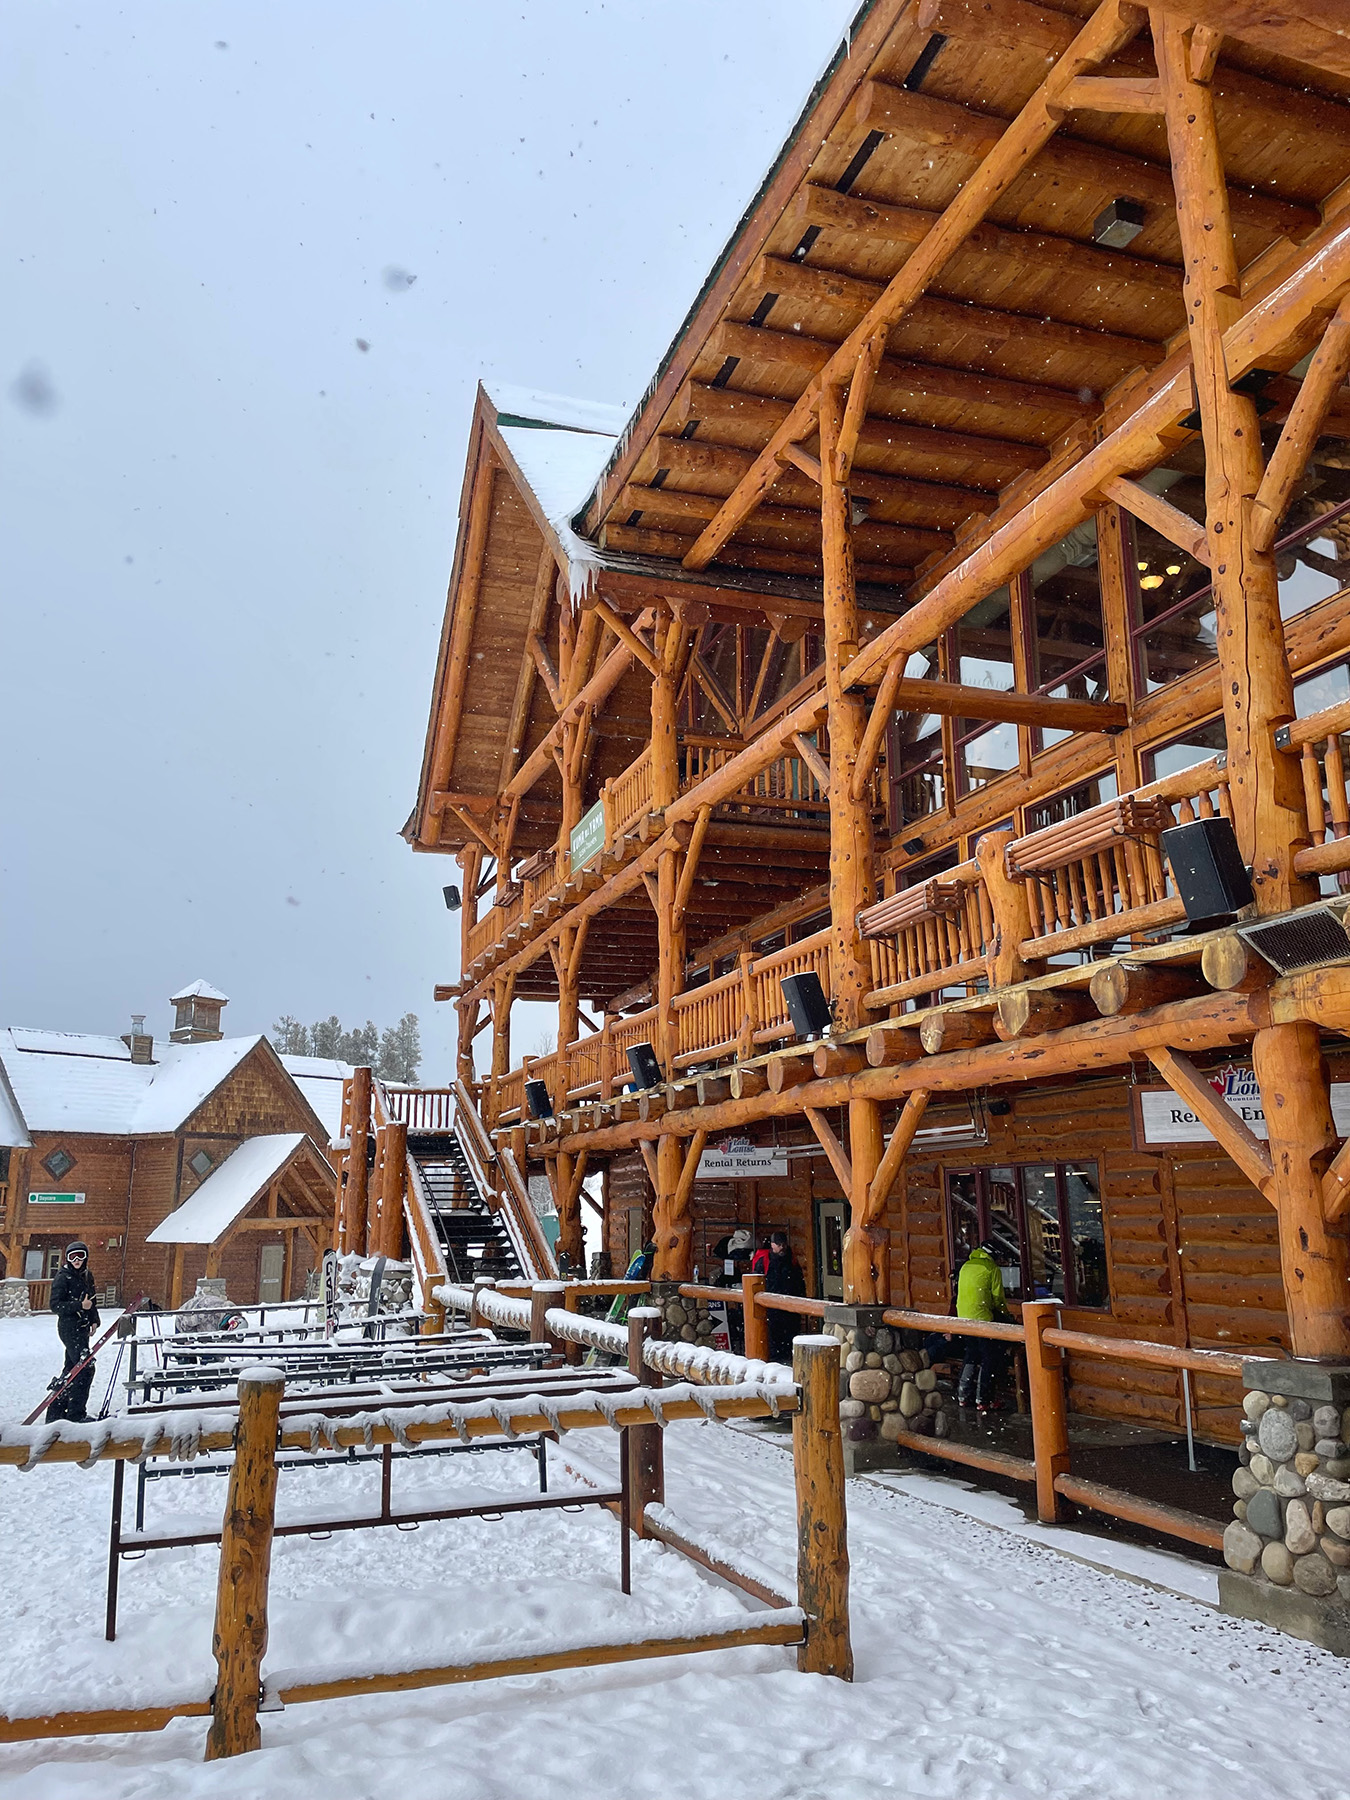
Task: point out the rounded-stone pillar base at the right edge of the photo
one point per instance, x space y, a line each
1288 1549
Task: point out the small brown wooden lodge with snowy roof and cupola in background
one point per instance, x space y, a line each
139 1146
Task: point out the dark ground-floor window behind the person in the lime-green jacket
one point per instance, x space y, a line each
1045 1223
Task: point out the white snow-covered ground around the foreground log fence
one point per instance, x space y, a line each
987 1662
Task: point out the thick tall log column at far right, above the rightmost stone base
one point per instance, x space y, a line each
1259 694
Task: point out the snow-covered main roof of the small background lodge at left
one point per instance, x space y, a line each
69 1081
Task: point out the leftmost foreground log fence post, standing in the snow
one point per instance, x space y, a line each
246 1558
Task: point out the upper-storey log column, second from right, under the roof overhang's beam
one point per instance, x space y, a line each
852 876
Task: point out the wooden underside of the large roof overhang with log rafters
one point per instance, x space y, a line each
1020 341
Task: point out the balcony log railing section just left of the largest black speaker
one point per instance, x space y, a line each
1101 876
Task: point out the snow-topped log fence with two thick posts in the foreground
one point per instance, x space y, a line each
262 1425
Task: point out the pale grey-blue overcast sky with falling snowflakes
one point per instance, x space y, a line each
228 526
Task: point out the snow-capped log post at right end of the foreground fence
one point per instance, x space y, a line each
818 1459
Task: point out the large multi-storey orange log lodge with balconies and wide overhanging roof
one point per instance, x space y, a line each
987 519
